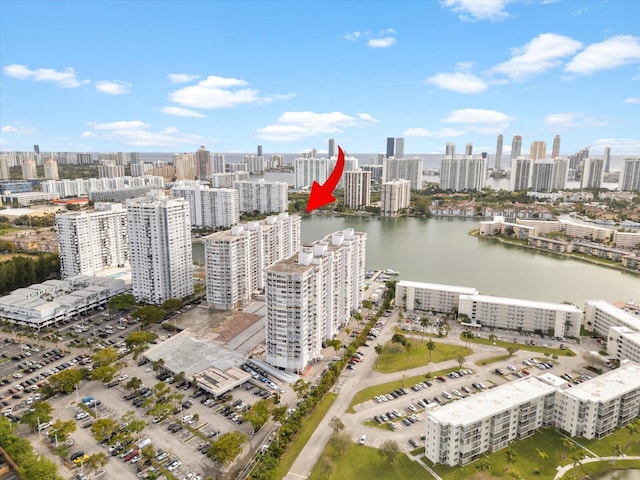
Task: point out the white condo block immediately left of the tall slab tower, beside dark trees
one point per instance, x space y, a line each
91 241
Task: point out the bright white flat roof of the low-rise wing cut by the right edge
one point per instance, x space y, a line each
608 385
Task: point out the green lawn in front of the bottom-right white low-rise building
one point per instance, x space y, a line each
527 459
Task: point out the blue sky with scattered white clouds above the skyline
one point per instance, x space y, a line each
171 76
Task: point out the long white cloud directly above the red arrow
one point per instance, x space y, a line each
292 126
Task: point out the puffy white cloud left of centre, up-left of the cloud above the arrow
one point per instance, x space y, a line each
217 92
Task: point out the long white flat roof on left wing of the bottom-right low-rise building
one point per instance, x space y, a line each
491 402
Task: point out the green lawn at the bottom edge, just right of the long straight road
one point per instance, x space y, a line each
362 462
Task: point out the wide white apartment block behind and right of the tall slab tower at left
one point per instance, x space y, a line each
209 207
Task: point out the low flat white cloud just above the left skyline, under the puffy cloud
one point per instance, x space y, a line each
136 132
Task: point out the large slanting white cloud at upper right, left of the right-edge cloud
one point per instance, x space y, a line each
543 53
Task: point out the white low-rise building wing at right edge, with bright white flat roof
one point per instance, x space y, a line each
593 409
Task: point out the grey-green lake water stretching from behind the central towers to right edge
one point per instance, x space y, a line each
441 251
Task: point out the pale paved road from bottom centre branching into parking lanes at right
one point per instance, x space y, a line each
363 376
